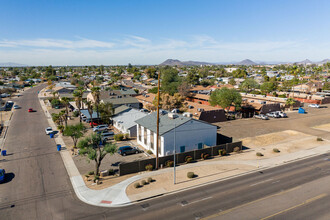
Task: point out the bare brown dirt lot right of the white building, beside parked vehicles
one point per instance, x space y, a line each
250 127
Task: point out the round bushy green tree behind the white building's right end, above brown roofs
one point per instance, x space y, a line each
225 97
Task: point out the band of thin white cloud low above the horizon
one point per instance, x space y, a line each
140 50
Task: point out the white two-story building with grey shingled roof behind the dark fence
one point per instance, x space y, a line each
184 132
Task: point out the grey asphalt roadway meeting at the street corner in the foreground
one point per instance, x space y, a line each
40 187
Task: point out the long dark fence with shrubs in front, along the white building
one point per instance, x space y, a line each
138 166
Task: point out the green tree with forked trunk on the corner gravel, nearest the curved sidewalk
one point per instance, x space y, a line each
90 147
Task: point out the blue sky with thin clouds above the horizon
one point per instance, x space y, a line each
114 32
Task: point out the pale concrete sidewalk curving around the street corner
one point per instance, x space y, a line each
115 196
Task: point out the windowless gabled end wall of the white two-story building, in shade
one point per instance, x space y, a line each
190 135
